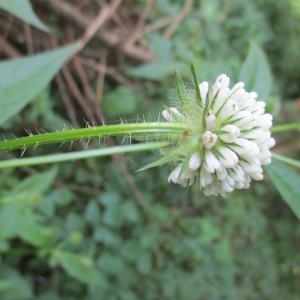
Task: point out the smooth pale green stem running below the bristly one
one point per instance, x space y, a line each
55 158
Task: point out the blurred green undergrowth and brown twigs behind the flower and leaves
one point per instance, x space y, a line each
96 229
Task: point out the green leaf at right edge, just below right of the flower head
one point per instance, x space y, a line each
286 182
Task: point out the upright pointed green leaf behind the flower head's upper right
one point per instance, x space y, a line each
256 72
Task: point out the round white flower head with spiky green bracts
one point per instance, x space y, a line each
227 139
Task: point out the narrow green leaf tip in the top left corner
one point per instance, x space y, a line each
22 9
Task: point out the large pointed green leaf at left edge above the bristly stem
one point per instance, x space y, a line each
24 78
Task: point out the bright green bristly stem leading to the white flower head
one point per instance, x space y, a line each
89 133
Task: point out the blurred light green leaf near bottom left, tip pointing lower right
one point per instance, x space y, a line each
79 267
